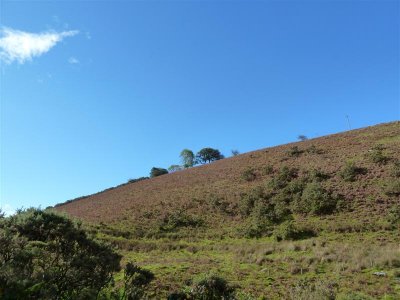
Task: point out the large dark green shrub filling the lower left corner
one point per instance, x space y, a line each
47 256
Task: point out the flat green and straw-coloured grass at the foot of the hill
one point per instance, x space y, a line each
334 263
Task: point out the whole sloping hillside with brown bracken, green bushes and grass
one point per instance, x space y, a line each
320 216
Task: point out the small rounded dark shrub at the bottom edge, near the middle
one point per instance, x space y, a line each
211 287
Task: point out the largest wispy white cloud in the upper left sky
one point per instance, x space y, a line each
21 46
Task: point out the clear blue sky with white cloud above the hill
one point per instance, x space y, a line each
96 92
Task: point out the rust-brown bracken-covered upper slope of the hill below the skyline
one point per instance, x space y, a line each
223 178
